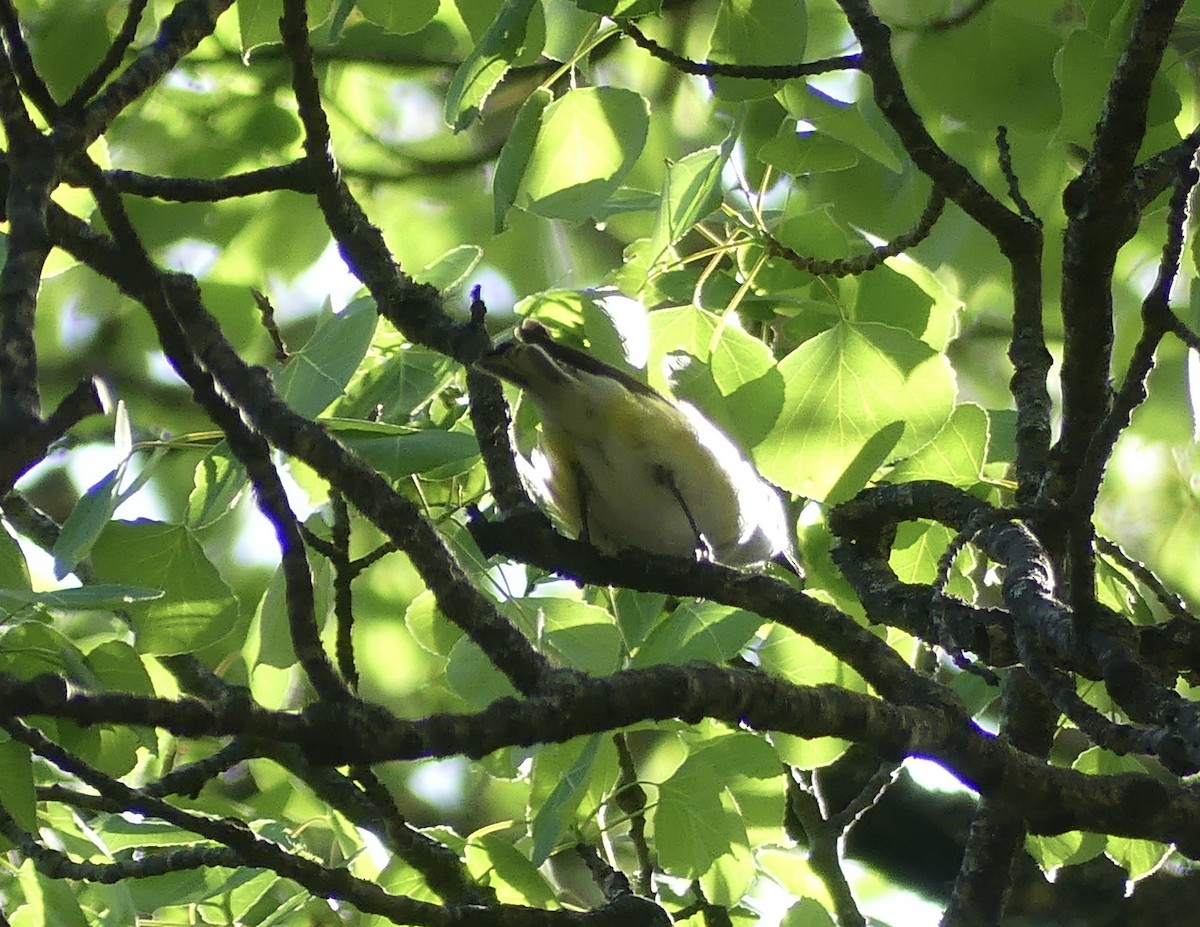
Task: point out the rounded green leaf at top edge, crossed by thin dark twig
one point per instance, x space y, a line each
757 33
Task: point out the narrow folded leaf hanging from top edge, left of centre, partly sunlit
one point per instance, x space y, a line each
495 52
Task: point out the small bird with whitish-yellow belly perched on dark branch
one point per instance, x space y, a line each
628 468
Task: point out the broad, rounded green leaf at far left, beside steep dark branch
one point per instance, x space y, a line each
197 608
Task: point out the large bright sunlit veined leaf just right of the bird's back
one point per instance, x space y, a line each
839 390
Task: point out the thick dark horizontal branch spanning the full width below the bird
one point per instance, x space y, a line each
1055 799
